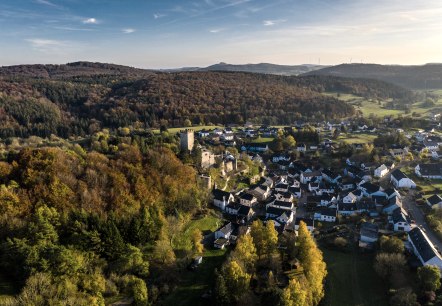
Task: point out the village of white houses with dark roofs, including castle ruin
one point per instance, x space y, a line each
344 199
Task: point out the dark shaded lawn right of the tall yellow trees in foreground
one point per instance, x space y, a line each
352 281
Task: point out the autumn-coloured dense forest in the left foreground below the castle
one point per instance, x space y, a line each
78 227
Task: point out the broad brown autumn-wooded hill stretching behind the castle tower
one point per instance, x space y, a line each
80 98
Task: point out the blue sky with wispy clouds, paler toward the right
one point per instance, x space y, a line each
172 33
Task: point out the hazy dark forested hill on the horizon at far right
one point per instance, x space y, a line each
413 77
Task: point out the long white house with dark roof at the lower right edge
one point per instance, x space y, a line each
423 248
